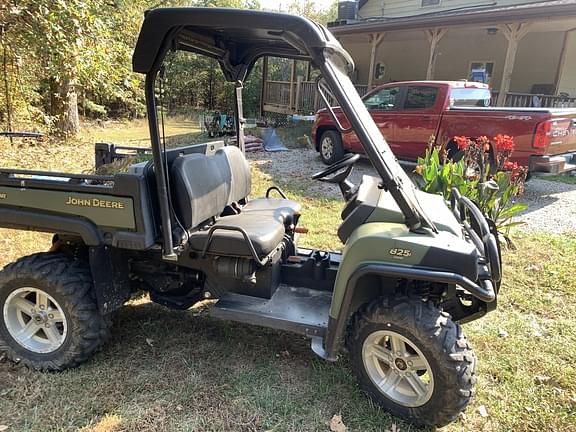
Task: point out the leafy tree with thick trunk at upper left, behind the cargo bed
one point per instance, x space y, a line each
73 46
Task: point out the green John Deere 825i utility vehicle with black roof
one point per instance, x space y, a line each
184 227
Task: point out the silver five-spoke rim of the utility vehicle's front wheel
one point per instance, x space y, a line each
398 368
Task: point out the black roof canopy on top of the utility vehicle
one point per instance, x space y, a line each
236 38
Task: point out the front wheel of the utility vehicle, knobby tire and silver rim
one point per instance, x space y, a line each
412 360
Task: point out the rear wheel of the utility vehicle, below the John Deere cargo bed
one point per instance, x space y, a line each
50 320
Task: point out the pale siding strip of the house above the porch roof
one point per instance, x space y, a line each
395 8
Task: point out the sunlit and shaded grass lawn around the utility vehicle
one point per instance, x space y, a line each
169 371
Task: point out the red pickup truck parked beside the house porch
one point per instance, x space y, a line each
409 113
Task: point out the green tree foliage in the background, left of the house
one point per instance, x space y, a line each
60 53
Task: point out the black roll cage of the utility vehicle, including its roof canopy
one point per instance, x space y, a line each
237 39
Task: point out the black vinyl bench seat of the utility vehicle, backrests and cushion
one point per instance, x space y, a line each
206 189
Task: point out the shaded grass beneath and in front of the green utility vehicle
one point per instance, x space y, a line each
166 370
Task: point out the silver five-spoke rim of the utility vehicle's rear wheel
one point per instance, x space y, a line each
35 320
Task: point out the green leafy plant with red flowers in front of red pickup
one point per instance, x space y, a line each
492 188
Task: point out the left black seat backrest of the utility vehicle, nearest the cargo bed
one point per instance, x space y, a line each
200 186
